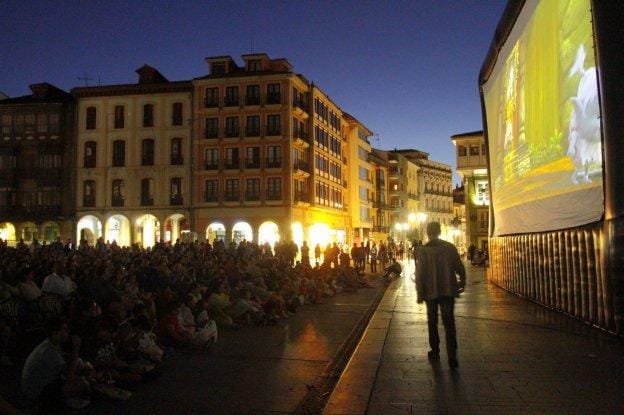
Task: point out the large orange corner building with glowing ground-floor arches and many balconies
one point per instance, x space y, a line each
270 151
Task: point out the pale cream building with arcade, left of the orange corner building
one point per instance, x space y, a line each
133 160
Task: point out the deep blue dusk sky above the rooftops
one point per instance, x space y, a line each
406 69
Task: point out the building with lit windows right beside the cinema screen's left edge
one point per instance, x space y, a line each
472 167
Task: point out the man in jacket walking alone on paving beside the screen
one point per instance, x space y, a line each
439 265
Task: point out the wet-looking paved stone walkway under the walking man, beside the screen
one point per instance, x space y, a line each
515 358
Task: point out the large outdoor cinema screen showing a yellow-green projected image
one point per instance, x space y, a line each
543 121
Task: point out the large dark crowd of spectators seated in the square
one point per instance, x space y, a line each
101 318
